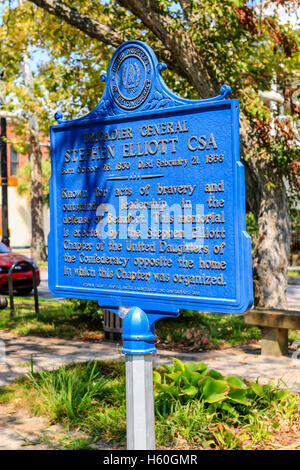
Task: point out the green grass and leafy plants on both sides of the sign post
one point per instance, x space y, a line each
190 411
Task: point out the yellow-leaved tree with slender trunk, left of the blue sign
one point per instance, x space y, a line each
34 95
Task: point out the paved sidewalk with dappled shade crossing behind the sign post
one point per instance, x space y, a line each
49 353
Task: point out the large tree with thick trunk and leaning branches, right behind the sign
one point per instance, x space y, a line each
206 43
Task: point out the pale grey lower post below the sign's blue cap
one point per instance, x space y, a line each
139 402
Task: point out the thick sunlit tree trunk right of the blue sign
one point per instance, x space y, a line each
271 210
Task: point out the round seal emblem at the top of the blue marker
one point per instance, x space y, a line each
131 75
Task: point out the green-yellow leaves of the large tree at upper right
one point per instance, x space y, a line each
253 51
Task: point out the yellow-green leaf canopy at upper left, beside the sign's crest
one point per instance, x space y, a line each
66 67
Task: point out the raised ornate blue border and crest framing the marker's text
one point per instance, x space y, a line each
158 100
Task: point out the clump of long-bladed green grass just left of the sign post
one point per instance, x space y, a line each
89 396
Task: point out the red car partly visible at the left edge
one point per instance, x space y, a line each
22 275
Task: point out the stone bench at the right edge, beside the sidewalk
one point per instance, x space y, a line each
275 325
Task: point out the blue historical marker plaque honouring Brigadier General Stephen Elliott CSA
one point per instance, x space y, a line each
147 197
